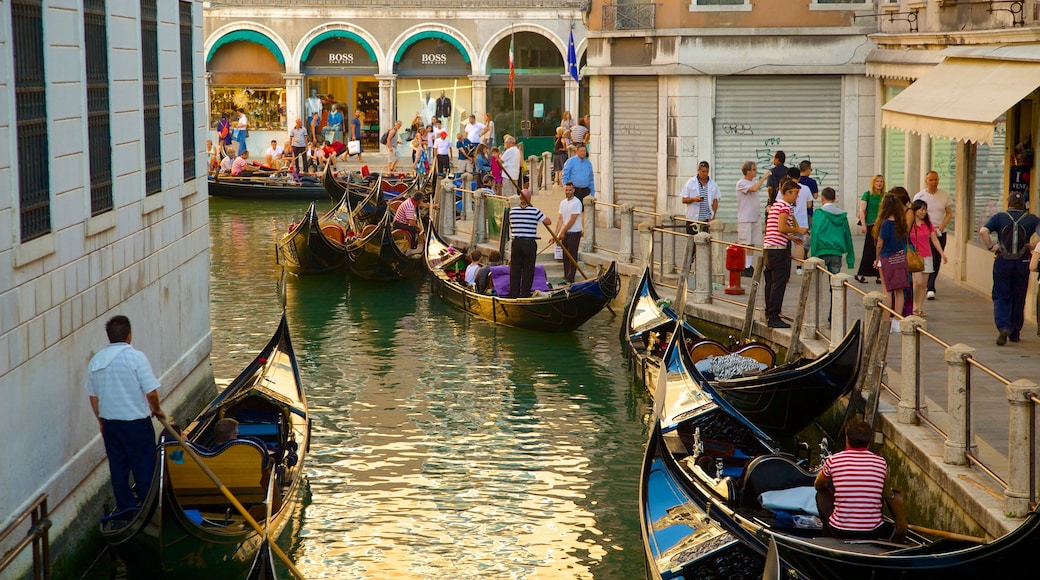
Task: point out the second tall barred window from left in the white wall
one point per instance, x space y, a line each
98 123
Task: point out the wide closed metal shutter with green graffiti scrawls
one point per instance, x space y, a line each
759 115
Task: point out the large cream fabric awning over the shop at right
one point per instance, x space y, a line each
963 98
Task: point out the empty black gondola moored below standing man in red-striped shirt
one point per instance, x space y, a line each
781 400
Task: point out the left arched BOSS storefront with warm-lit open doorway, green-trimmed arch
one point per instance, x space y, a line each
341 68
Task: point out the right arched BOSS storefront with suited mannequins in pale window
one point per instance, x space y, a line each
433 75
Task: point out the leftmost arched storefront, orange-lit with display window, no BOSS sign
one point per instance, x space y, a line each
247 73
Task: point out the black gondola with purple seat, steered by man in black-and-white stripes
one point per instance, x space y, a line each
557 310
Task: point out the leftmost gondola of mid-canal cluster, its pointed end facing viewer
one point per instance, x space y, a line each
313 248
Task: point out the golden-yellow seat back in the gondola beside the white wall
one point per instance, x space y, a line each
240 465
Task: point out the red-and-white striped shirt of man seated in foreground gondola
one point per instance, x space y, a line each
860 481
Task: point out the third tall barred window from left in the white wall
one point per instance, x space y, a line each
150 101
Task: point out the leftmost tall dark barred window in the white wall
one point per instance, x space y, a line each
31 104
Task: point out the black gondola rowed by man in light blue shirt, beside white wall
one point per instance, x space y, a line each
187 526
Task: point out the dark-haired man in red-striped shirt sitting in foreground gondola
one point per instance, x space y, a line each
859 480
